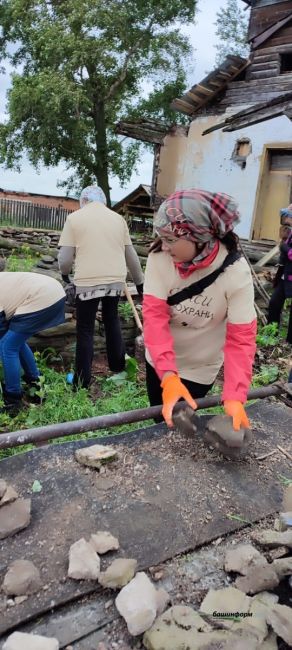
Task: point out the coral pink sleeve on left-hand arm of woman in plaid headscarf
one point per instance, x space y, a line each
157 336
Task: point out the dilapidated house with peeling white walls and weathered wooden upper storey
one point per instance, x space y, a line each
239 139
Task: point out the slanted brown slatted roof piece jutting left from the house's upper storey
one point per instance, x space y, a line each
215 82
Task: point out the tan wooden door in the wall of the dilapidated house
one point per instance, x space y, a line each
275 193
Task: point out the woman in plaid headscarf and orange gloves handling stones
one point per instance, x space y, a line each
188 335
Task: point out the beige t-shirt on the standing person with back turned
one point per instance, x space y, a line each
99 236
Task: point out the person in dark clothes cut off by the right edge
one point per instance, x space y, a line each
283 278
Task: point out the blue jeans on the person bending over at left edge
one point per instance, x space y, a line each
14 354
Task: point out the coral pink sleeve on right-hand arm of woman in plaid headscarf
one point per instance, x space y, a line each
239 352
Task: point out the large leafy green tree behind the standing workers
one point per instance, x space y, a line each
84 65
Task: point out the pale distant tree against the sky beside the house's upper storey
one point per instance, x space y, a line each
232 25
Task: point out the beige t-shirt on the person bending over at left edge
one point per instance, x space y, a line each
25 293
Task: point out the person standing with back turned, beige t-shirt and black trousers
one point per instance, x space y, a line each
96 240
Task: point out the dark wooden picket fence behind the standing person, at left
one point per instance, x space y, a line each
31 215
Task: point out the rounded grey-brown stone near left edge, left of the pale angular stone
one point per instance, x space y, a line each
22 578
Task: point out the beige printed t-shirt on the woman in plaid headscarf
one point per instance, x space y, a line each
198 324
